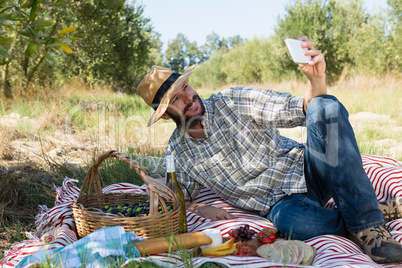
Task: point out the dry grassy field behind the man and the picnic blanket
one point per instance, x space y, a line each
45 138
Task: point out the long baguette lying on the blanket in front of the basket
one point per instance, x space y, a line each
172 243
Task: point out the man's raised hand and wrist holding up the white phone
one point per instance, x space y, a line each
315 72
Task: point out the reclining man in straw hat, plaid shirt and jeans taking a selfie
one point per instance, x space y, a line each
229 143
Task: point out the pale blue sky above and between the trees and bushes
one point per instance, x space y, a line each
227 18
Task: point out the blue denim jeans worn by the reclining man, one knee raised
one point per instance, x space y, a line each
333 168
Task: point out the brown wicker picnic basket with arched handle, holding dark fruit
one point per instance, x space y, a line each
87 208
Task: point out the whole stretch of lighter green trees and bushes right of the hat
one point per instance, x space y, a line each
352 40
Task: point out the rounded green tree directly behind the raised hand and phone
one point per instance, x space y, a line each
331 24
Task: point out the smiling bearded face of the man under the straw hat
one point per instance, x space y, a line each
185 107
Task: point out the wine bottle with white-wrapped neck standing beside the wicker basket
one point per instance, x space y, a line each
171 182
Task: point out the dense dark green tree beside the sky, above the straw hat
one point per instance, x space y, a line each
117 47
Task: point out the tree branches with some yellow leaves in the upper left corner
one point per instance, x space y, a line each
29 32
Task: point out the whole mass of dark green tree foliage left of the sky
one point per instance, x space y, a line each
114 43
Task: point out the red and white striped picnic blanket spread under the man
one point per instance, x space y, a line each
55 227
